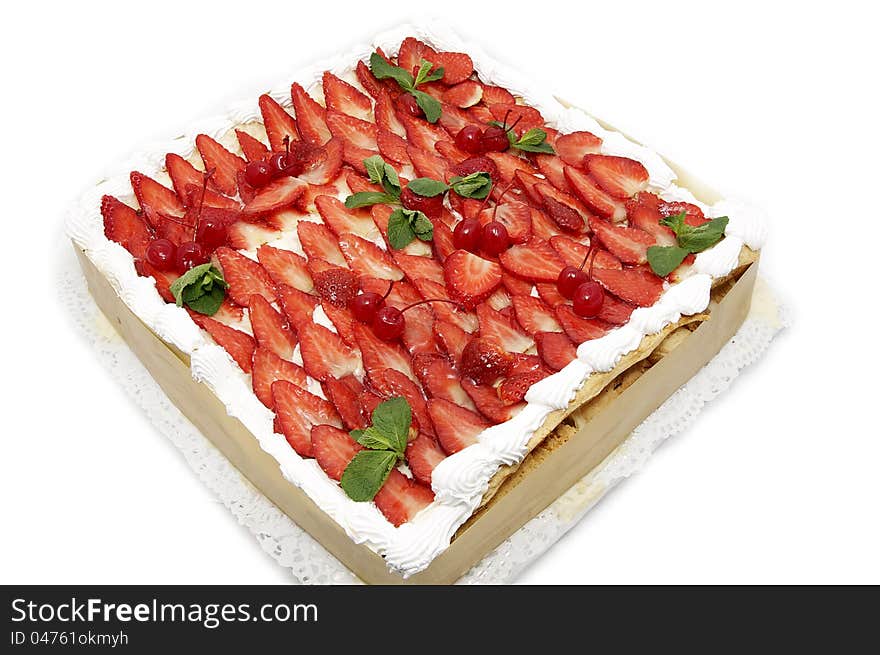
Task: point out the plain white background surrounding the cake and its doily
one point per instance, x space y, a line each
777 481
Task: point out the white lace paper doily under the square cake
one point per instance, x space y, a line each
306 559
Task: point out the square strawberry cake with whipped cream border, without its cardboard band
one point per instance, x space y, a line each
404 269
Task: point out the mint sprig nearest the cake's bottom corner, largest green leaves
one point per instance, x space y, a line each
384 445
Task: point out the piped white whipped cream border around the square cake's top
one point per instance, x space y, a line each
460 481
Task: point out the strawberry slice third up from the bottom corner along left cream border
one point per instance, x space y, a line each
298 412
